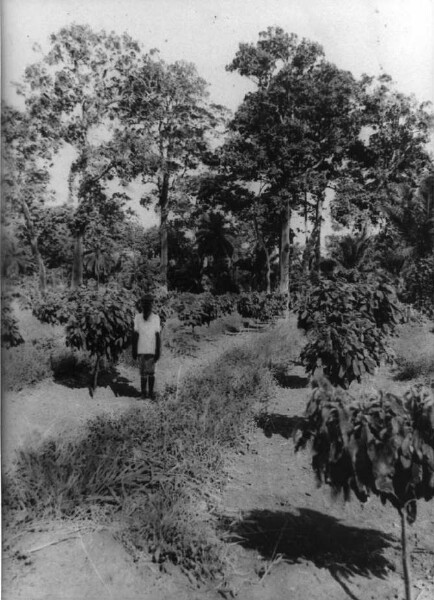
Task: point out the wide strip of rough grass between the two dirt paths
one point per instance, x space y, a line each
156 469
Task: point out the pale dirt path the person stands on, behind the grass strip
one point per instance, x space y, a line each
52 408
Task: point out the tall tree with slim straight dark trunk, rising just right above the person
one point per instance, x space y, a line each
166 106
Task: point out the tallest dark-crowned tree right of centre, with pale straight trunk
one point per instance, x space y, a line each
297 122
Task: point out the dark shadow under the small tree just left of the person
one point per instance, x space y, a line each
81 377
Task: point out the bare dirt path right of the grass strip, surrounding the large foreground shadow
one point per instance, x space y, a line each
297 541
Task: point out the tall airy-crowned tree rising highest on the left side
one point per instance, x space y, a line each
73 94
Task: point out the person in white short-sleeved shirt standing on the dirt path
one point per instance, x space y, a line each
147 345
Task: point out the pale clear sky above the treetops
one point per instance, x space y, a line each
362 36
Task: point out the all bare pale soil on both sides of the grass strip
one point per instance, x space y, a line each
286 538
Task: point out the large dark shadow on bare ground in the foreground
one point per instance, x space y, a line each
311 535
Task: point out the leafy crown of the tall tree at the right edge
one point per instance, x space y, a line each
391 151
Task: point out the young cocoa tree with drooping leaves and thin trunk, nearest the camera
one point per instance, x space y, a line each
383 445
